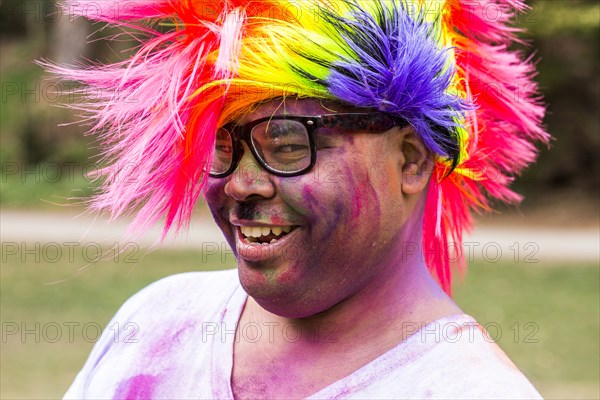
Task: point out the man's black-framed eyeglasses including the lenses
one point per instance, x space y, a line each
286 145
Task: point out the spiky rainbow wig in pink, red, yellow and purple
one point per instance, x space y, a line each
444 66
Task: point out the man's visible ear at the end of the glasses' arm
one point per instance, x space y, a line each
417 165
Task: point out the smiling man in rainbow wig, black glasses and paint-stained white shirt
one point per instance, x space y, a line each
339 146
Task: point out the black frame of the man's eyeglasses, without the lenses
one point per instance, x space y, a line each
312 124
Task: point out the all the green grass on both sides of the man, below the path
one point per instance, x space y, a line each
561 301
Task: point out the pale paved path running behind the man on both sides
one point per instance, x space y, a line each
521 244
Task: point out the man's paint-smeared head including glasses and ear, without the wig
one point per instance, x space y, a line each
309 242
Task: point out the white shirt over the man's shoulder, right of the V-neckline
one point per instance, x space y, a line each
450 358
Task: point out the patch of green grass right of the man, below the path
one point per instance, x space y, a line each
548 318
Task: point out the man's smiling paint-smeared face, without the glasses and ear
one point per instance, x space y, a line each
345 215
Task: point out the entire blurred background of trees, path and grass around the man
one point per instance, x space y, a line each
533 277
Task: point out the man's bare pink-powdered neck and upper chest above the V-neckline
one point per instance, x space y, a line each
316 351
